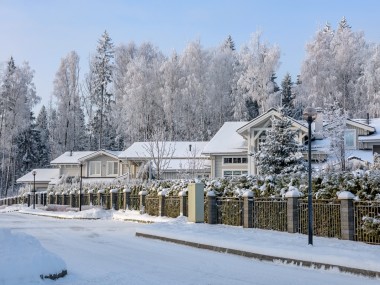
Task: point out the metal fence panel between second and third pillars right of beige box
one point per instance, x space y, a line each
270 214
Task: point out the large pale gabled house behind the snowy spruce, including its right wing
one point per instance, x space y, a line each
231 149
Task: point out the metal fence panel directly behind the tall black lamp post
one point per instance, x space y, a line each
326 218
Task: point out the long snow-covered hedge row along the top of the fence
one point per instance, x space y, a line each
365 185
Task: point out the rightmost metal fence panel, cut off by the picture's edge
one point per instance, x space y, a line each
367 222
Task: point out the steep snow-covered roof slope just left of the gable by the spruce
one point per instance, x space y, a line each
227 140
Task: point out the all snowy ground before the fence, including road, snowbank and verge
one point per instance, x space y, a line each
104 250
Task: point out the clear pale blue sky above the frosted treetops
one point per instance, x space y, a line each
43 31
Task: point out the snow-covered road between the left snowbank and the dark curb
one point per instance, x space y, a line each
107 252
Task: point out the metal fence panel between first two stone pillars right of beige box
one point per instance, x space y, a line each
230 211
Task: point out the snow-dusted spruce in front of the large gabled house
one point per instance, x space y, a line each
280 153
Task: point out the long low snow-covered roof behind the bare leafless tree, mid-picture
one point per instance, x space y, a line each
181 149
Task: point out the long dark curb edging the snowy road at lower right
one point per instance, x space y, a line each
270 258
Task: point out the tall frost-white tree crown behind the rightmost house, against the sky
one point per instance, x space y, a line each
334 63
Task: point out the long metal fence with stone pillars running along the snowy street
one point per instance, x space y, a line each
331 218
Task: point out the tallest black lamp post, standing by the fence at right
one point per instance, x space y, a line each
310 114
